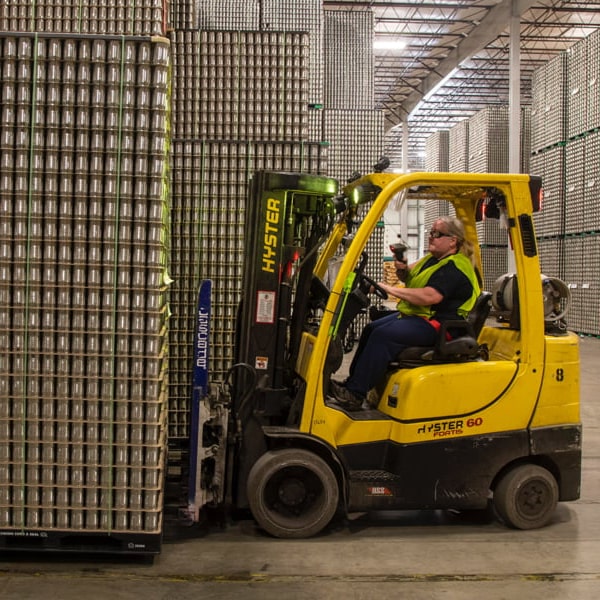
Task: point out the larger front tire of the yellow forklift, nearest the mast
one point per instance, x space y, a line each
292 493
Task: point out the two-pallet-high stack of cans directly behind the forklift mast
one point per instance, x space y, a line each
240 103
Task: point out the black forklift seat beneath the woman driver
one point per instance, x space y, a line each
461 347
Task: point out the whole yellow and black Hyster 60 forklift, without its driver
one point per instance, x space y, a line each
490 417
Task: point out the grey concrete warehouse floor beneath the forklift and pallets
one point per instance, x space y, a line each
416 555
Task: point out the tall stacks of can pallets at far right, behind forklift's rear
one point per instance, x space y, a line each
566 152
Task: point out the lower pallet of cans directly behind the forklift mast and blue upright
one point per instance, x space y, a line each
210 185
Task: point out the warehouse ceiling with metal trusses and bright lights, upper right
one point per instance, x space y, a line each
464 44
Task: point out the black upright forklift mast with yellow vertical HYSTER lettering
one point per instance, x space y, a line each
289 215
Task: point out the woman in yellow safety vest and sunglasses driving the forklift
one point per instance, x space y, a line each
440 286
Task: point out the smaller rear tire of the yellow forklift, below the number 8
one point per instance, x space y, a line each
526 497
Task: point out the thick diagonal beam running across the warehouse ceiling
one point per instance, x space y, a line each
494 23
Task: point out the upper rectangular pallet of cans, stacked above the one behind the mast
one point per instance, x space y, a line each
256 82
